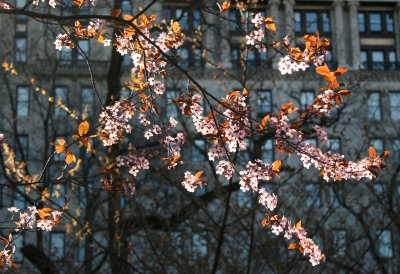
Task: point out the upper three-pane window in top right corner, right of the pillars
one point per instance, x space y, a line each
375 22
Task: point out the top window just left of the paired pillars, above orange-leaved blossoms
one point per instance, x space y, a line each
310 21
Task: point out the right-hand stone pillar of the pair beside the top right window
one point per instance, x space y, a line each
354 34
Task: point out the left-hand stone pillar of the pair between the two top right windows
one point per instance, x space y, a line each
339 42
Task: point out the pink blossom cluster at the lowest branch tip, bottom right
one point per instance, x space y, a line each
306 245
